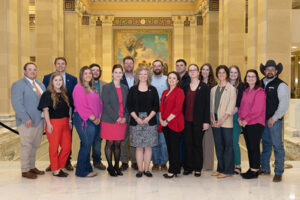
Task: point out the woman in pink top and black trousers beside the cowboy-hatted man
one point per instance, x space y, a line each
252 118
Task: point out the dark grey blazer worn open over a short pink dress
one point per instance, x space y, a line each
110 101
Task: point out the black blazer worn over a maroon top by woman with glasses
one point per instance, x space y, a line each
201 104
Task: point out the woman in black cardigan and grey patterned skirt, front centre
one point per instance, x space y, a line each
143 104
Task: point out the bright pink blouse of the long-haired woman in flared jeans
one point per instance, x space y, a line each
86 104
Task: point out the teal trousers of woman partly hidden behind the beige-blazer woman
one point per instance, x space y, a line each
236 136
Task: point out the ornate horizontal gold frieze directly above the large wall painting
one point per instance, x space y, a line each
142 21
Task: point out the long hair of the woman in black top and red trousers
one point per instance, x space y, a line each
54 94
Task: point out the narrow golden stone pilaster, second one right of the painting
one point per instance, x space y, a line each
193 39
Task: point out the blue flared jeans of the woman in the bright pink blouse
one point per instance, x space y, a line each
86 134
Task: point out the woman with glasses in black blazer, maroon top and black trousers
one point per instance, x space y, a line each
197 117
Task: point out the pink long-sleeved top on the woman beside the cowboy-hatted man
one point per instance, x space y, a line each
253 106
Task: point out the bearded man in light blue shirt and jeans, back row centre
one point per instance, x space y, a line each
159 152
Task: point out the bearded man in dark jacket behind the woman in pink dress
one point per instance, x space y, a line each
128 80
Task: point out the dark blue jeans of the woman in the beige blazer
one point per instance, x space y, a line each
224 149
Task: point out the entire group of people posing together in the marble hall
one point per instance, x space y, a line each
178 118
